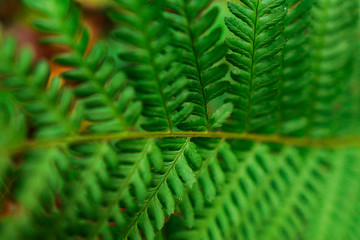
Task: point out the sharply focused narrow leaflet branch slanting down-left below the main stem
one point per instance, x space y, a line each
179 174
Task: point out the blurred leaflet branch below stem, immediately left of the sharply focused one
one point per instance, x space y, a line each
127 163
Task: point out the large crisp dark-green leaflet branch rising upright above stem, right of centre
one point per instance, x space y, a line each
256 56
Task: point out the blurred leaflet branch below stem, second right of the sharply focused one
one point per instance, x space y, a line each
212 212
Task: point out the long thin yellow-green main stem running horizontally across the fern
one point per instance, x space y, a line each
350 141
